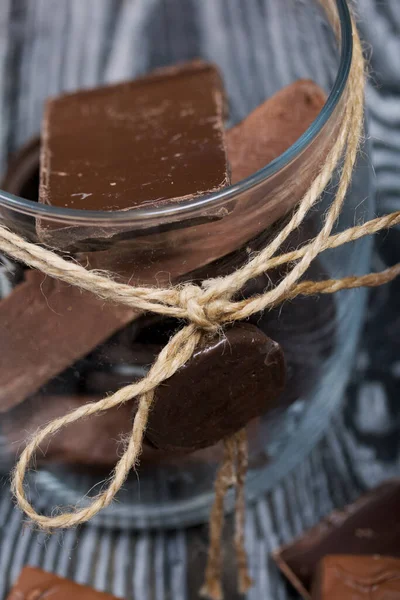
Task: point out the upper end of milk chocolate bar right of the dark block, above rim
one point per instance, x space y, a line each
273 127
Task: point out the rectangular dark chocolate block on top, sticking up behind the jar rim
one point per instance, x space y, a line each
149 142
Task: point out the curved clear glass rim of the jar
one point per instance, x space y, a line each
181 210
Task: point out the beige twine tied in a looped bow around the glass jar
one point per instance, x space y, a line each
207 308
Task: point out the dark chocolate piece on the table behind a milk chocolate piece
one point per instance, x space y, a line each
369 526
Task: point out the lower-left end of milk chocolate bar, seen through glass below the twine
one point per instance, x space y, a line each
45 326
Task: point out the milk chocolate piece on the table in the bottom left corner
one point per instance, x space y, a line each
35 584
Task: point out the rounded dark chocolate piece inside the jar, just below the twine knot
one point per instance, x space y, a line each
227 383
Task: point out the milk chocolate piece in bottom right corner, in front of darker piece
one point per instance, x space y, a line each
357 578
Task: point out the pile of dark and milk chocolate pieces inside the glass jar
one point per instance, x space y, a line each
154 143
